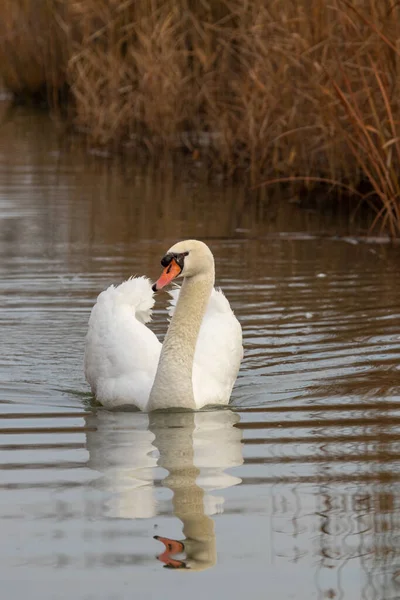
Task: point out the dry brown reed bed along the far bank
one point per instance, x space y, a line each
303 91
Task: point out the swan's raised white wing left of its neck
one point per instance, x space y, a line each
121 353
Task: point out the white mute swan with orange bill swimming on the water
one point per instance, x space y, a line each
199 360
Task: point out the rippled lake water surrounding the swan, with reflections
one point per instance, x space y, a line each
293 492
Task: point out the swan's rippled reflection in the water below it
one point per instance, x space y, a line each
132 450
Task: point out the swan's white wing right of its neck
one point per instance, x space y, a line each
219 351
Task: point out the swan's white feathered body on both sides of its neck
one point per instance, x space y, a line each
122 353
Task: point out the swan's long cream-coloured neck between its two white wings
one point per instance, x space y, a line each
173 385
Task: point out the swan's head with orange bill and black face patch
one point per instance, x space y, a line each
185 259
